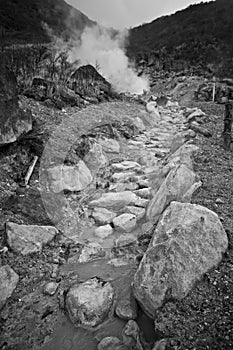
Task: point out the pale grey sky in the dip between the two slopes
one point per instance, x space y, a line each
127 13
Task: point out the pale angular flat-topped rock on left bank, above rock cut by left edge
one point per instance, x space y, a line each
26 239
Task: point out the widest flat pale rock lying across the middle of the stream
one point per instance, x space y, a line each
115 201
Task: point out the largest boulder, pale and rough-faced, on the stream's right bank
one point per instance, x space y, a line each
188 241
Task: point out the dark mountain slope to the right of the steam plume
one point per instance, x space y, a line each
199 35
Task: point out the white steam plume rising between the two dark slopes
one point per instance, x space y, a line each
105 50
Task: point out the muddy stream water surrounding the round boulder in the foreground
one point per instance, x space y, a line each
68 337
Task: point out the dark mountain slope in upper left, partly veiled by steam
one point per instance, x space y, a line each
25 21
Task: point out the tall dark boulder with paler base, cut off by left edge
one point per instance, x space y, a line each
13 121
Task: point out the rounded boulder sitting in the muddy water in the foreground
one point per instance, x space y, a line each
88 303
